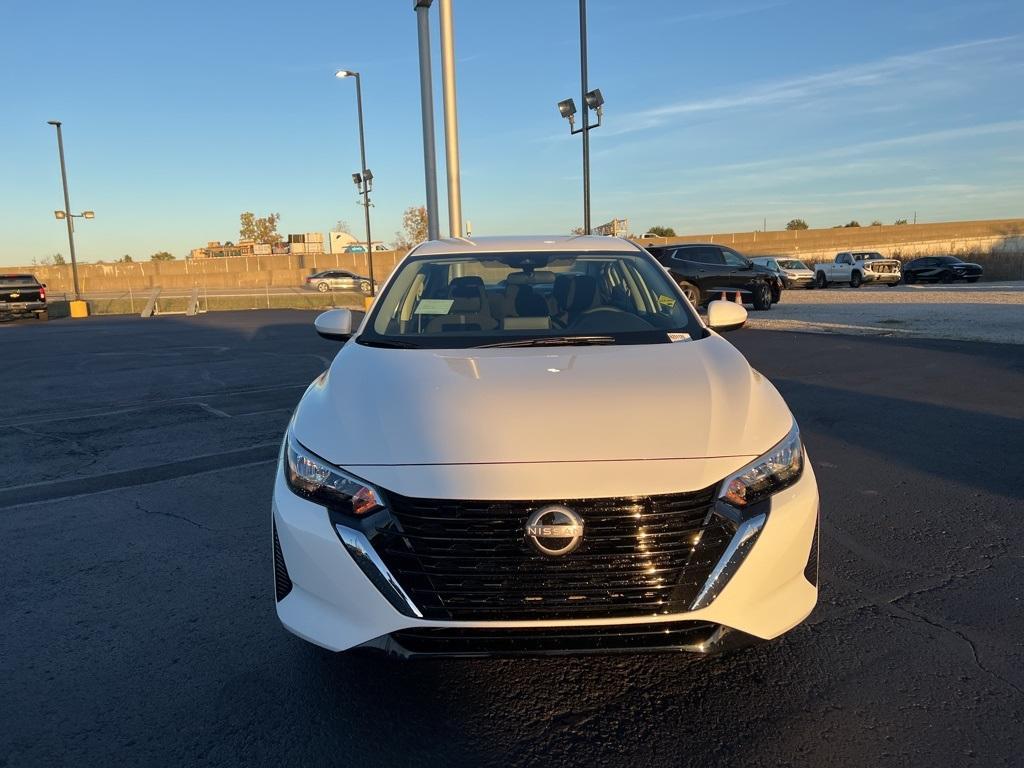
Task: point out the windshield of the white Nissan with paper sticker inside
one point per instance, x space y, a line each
523 300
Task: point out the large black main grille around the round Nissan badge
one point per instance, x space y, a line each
472 561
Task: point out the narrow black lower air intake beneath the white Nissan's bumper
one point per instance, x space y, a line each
478 643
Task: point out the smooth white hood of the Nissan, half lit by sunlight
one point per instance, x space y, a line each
412 407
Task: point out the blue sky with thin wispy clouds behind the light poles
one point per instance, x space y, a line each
180 116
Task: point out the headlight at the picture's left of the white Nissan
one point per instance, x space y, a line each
316 480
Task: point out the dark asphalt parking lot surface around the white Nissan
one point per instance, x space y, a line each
137 460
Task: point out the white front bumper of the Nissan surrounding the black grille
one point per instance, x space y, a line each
329 600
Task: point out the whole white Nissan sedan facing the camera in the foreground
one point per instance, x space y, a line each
536 446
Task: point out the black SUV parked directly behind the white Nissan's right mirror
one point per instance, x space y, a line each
707 271
